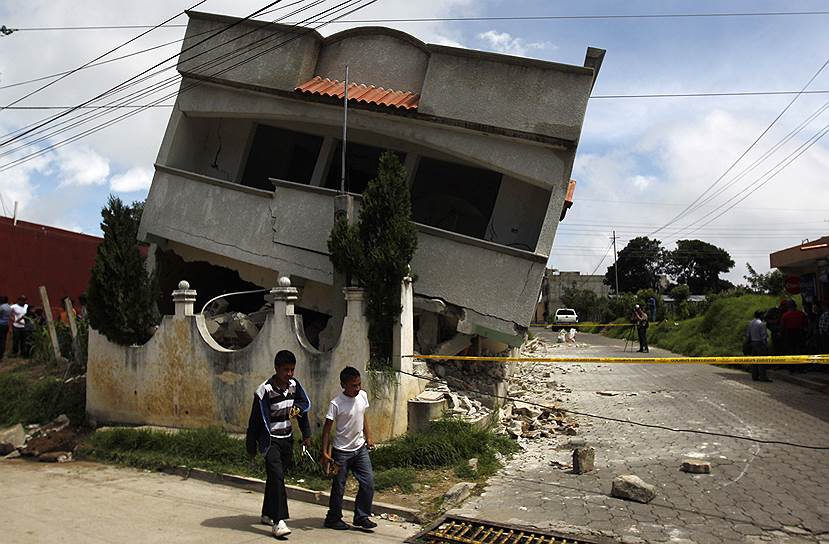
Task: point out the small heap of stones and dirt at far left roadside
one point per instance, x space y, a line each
53 442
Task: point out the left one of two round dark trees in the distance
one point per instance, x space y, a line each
639 264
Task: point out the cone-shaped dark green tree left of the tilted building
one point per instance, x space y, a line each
121 298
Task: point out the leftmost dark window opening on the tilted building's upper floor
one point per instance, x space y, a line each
281 154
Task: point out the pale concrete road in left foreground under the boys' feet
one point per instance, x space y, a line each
90 503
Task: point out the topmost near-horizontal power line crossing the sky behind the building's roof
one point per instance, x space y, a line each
462 19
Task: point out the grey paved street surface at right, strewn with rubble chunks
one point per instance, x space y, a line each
755 492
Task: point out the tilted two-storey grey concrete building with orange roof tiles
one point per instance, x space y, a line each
249 167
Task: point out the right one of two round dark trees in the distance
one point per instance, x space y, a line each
699 264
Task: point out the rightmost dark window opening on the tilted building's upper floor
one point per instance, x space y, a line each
454 197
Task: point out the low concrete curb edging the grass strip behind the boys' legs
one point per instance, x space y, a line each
294 492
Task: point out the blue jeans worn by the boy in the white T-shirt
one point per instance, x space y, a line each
359 463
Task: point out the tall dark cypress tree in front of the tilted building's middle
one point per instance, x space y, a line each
377 250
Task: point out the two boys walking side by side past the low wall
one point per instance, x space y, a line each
280 399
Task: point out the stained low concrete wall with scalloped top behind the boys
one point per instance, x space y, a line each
182 378
